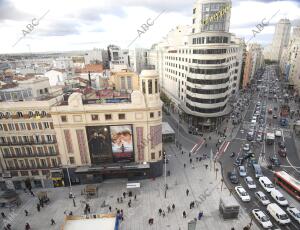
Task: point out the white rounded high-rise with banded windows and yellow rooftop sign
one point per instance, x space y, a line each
200 65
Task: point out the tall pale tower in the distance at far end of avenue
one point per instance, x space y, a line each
280 40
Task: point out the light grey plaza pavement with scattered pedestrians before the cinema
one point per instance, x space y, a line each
150 197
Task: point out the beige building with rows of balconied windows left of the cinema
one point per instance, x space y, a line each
29 155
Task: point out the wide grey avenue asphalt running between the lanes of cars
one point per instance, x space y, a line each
261 149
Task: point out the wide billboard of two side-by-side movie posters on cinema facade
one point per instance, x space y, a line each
109 144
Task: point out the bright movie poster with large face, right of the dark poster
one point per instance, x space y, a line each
122 143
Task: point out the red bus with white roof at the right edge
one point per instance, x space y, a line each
288 183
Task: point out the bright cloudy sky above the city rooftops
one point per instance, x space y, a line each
69 25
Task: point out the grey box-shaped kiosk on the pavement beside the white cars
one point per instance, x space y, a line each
229 207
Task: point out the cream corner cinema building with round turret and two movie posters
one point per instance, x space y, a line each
111 133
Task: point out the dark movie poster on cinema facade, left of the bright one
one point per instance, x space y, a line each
99 144
